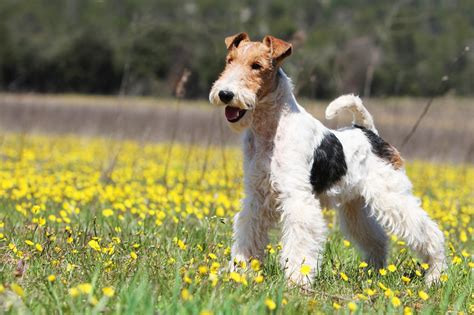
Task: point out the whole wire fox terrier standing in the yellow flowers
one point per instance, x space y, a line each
294 166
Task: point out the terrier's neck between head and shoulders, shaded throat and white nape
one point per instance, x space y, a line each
272 107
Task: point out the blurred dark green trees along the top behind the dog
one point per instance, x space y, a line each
142 47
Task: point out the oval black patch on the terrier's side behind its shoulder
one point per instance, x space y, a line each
329 164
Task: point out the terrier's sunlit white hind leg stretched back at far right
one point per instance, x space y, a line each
399 212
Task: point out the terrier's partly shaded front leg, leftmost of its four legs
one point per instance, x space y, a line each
250 232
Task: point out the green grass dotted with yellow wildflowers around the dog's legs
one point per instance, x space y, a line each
101 226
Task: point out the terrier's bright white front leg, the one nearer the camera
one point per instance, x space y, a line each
303 237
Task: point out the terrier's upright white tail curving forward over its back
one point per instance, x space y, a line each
353 104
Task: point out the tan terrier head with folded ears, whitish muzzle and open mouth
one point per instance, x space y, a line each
249 75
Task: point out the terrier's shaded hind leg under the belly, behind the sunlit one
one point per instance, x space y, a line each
364 231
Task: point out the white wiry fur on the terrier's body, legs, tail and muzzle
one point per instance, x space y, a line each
372 198
